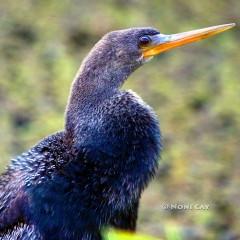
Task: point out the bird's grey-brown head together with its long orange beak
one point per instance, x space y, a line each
136 45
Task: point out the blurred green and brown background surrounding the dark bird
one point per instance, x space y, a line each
195 91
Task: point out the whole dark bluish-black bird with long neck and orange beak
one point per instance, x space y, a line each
91 174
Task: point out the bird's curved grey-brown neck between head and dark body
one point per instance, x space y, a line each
99 77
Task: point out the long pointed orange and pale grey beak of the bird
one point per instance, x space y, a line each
161 42
